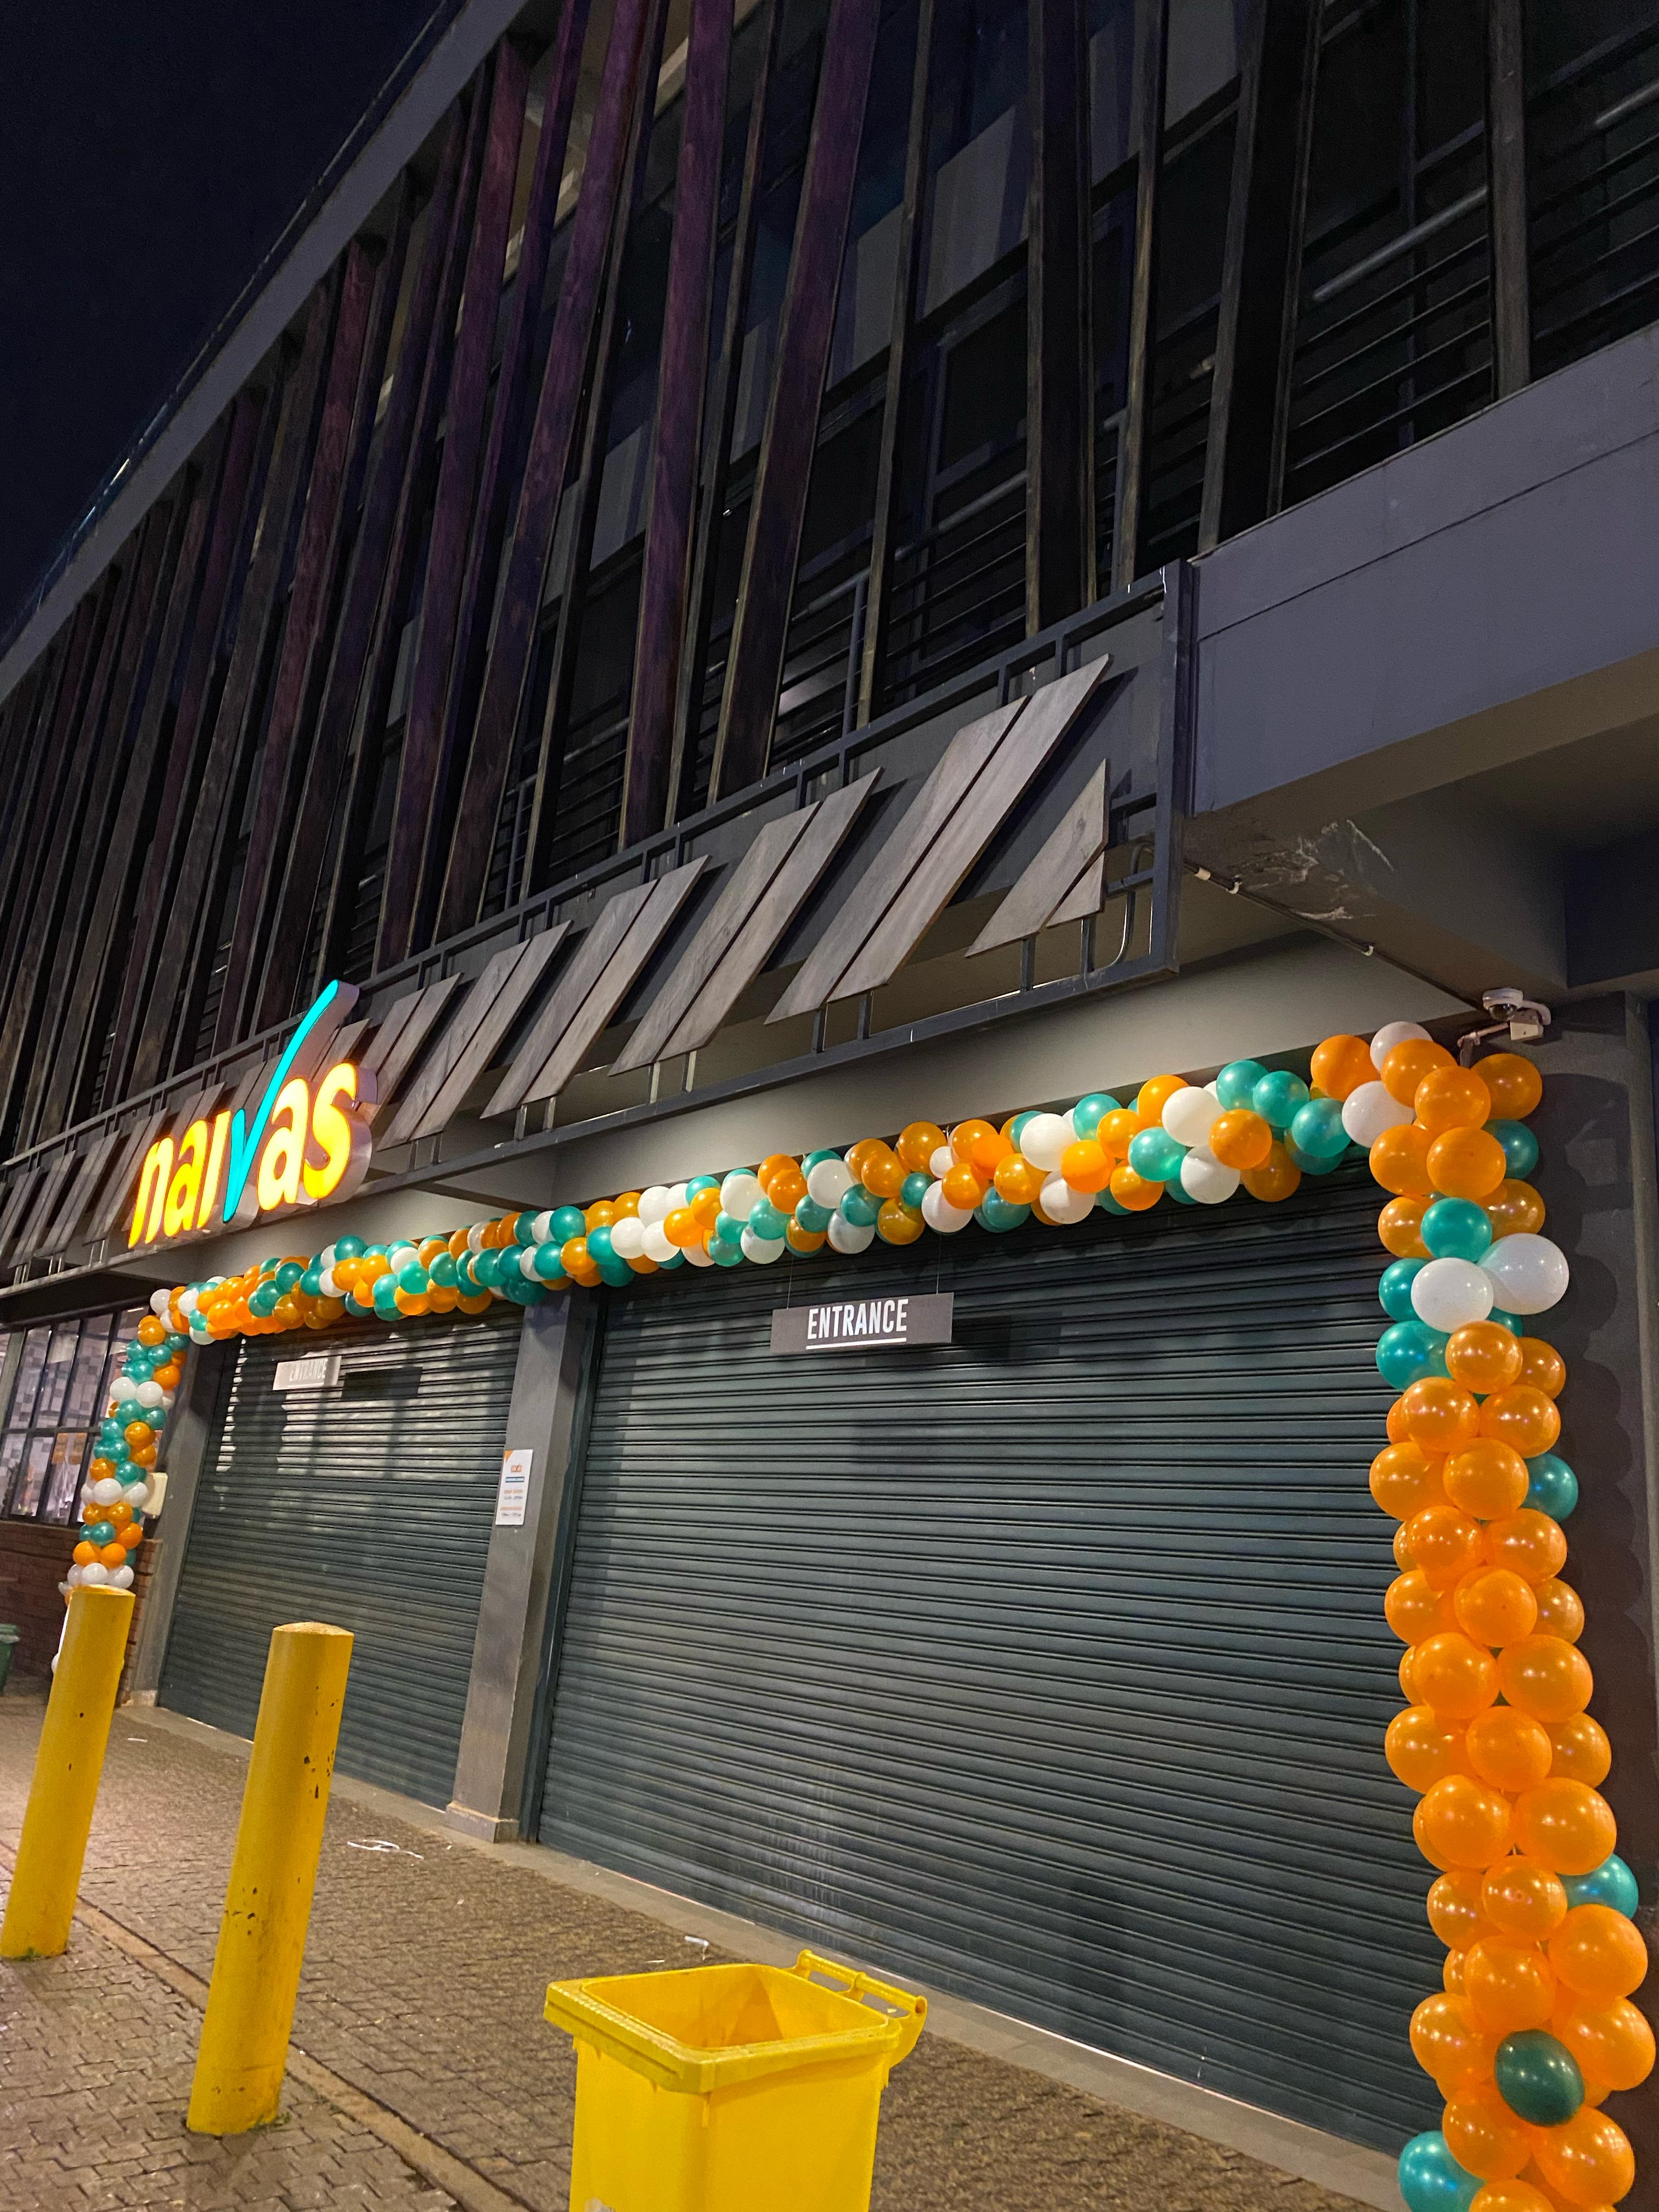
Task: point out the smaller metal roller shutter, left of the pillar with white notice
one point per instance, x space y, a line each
366 1505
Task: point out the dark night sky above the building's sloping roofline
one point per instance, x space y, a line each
149 158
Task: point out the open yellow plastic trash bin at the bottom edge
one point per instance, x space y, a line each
731 2089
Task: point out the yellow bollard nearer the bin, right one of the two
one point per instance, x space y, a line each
269 1903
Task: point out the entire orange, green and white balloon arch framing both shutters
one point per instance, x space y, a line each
1534 2027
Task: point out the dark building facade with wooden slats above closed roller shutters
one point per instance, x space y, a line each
565 612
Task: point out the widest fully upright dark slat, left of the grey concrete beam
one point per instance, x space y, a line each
1061 421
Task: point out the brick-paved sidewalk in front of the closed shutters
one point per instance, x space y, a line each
424 1990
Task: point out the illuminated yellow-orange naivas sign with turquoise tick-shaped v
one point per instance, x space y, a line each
306 1142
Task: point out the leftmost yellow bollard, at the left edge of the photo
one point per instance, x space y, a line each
67 1771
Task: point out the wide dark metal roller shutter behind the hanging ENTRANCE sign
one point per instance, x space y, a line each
1050 1665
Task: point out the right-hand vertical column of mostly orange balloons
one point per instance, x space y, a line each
1534 2027
